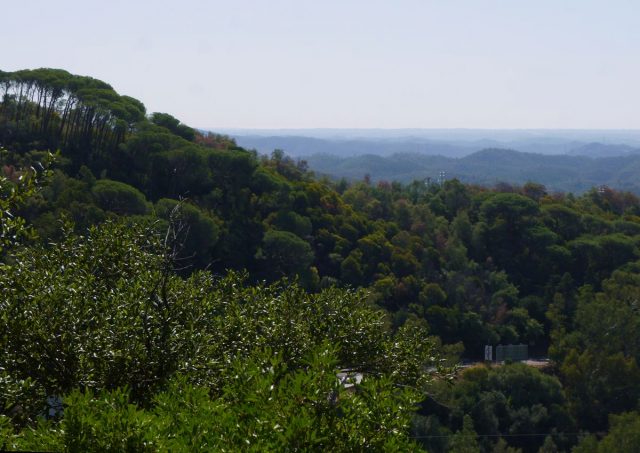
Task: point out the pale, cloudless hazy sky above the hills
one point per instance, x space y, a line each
356 64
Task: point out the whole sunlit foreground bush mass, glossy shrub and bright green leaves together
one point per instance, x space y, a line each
150 360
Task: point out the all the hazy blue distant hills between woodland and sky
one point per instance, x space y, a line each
563 160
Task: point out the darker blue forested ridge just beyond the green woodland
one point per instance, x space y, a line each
566 173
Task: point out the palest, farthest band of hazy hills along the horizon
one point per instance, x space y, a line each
444 142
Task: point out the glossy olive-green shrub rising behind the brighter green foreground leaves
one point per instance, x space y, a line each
106 311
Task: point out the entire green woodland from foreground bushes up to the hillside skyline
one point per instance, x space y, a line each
165 289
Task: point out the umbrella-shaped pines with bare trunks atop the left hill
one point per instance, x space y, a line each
54 108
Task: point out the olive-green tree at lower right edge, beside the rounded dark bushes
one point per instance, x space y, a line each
600 358
